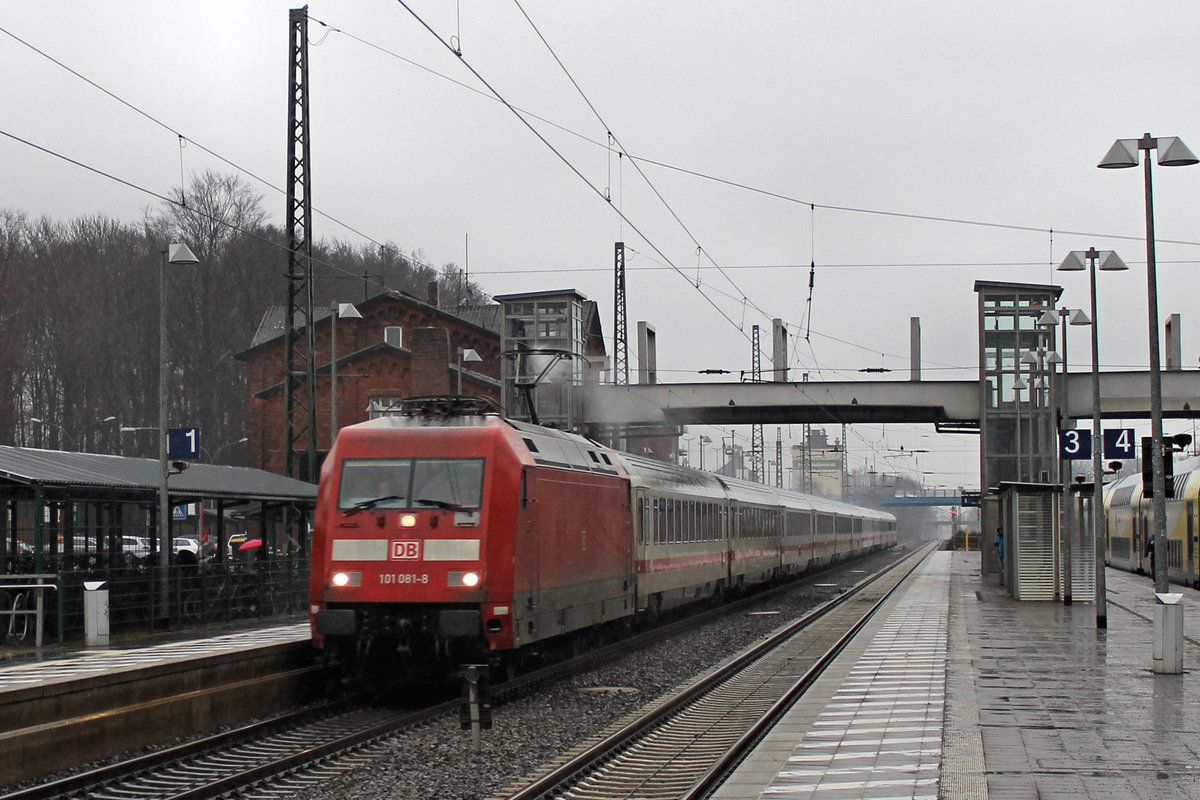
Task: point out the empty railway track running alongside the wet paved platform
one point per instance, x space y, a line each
682 748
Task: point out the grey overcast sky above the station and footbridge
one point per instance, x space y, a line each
908 149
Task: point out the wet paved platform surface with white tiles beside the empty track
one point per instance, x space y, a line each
959 691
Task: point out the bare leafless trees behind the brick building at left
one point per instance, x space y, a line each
80 315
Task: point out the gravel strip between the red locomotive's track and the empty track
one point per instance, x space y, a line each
436 762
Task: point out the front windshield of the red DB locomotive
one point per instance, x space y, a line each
412 484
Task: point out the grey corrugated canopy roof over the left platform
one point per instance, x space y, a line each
61 470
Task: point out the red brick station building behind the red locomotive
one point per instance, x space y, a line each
403 347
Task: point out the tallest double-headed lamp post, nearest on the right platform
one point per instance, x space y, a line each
1172 153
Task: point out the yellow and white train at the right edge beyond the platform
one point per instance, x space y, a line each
1131 525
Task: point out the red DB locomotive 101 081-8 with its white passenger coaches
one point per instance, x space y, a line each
446 534
